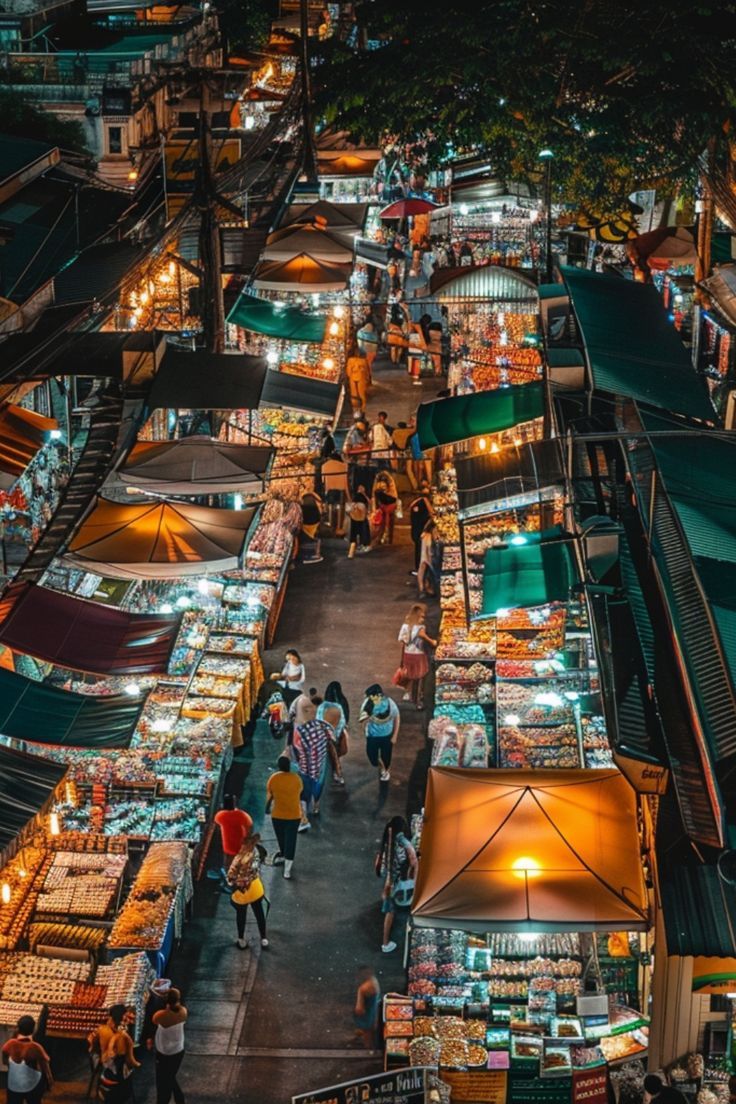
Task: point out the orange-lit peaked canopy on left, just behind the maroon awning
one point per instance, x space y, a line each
159 540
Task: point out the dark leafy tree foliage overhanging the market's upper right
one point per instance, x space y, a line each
626 93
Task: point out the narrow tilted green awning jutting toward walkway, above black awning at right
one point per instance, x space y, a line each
447 421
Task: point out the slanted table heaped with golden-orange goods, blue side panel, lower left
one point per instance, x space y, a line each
153 916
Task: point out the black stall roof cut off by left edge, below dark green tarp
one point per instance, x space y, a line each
27 787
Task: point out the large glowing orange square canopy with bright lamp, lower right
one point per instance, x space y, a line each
530 852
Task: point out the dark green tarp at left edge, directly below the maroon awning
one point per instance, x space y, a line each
44 714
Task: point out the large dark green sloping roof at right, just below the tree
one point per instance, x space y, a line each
632 347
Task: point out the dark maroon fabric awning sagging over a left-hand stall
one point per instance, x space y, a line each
86 636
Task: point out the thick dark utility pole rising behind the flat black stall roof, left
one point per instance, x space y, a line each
212 306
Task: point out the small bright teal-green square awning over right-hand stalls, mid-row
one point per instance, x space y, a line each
531 570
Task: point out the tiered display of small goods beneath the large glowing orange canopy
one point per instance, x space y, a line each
508 1003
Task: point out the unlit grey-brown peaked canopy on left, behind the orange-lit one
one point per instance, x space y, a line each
197 466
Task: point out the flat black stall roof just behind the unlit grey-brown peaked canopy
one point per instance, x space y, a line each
208 381
